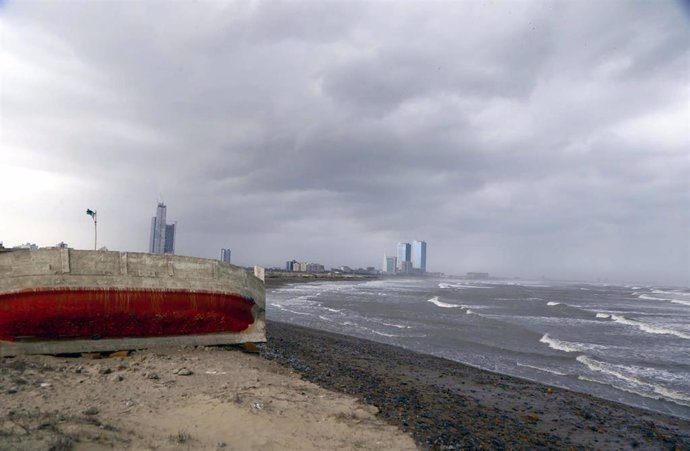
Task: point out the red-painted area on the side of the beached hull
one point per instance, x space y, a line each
117 313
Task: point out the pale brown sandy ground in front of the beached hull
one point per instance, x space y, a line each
179 399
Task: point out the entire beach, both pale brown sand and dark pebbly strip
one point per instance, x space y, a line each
304 389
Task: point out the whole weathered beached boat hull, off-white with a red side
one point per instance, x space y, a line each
66 301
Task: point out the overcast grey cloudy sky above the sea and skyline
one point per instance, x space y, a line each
521 138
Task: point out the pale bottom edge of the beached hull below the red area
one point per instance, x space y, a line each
255 334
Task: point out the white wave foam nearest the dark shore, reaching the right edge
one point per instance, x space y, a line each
632 384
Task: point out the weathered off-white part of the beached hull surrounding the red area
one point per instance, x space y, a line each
68 268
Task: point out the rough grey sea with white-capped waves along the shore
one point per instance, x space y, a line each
625 343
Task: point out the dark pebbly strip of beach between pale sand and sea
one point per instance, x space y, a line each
448 405
